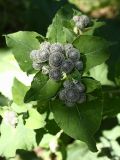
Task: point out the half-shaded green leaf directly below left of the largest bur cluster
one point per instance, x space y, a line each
42 88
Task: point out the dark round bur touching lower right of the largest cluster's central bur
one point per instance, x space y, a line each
67 66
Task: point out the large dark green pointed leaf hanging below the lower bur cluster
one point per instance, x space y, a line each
81 121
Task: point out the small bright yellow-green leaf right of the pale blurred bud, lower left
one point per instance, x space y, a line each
35 120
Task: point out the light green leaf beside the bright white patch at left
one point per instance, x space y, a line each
18 92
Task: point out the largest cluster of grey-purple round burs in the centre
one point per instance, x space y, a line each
56 59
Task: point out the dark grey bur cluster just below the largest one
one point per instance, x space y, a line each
73 92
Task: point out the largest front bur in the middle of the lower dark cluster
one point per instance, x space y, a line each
72 95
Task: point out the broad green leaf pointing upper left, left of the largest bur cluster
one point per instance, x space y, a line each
22 43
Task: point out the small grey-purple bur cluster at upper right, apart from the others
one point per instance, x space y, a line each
81 22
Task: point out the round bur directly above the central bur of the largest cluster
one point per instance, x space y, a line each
56 47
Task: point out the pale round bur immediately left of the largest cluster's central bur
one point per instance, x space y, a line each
43 55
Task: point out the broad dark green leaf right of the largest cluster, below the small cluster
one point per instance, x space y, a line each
94 50
